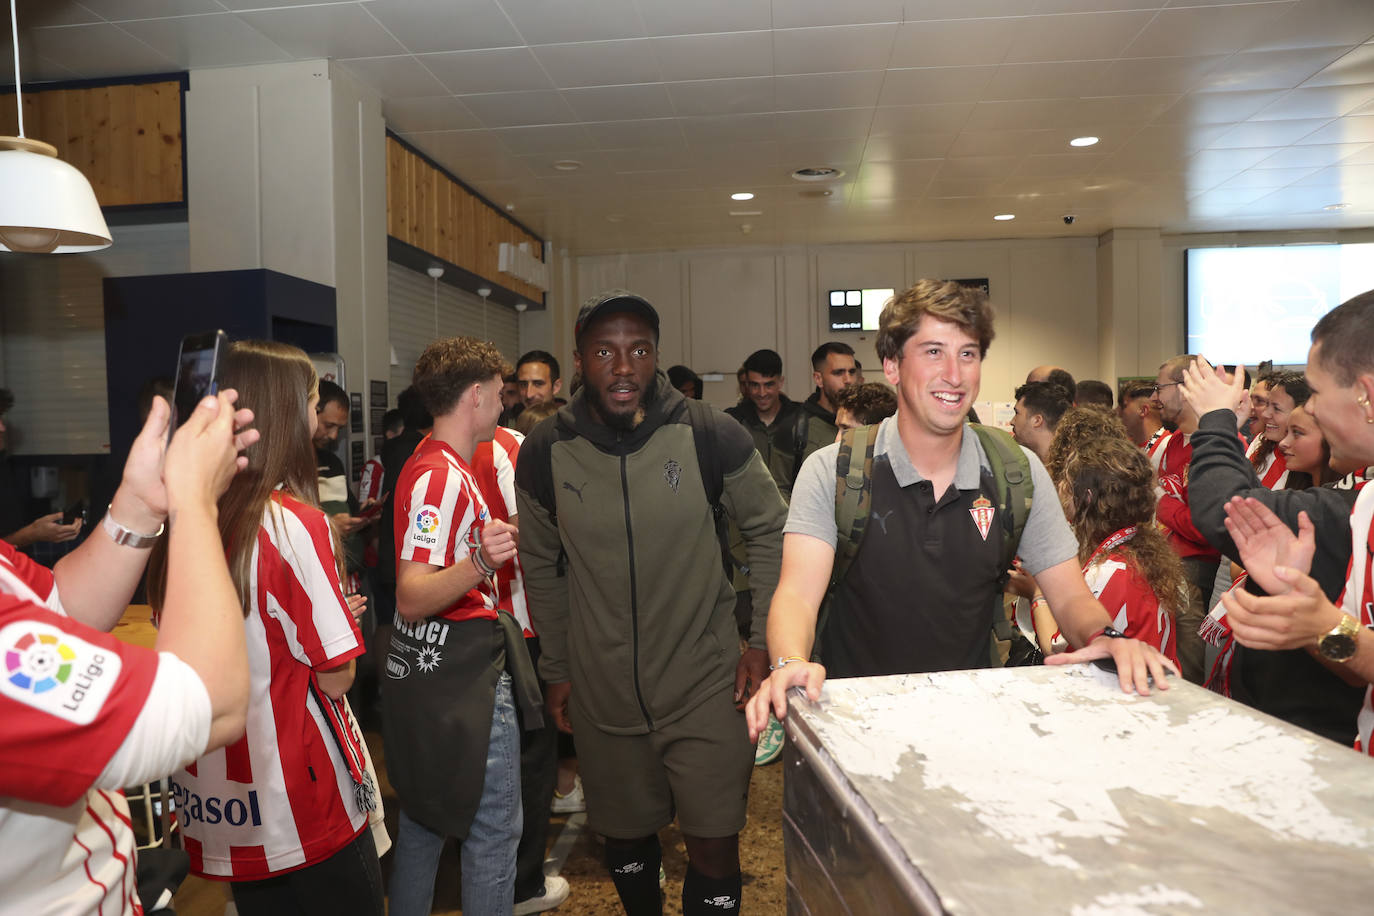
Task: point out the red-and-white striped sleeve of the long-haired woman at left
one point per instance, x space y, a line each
304 594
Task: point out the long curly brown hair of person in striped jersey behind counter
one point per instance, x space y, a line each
1108 485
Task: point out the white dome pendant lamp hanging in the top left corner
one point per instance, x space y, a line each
46 205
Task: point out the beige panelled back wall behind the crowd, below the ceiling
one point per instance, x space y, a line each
718 307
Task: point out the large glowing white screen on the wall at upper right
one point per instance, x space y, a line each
1261 303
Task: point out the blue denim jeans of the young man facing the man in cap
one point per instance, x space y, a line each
488 855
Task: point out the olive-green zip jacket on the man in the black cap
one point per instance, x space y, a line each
642 623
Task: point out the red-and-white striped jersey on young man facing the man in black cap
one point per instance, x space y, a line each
440 516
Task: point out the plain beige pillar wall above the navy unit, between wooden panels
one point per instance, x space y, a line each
286 165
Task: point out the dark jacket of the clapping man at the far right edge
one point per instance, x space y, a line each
1289 685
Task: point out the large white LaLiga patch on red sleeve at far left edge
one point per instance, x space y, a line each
57 672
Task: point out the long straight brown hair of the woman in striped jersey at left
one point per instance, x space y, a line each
277 382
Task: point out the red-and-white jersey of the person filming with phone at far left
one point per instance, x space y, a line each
69 696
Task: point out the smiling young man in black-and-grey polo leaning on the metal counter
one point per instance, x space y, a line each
920 593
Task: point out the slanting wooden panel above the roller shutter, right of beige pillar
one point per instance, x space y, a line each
429 211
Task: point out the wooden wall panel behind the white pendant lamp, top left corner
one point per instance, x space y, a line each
126 139
